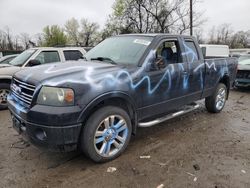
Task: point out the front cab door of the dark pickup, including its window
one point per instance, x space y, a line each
165 88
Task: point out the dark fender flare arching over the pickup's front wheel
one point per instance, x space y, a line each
118 102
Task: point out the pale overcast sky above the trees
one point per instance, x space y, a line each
31 16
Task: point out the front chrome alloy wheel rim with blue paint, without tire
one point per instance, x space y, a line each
110 136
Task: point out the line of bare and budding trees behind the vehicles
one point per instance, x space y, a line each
128 16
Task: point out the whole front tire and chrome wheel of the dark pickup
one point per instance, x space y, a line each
101 140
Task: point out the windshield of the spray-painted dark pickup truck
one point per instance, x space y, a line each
120 50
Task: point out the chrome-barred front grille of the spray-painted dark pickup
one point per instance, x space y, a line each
22 91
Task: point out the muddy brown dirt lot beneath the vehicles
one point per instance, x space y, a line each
197 150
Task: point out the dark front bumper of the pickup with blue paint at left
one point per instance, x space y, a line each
50 133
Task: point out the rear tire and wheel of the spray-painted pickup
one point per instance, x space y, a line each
217 101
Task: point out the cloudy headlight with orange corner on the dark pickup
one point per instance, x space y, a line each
53 96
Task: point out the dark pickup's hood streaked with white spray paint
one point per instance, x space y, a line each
67 71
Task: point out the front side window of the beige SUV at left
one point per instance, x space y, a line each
48 57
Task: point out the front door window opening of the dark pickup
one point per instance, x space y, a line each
169 51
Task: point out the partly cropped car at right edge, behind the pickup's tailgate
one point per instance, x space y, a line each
243 73
